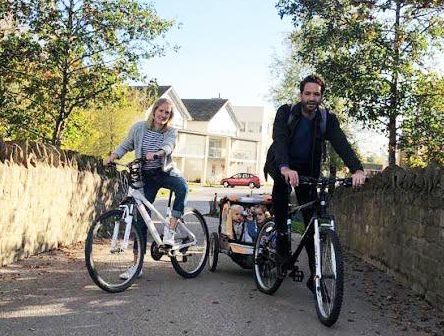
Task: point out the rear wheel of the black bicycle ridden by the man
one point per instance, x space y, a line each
265 266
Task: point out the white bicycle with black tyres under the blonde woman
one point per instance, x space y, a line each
114 239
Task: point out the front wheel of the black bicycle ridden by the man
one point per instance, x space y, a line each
329 288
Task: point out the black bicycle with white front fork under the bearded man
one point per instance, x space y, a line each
329 276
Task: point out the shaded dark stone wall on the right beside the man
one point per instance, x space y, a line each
396 222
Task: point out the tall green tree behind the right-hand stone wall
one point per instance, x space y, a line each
371 53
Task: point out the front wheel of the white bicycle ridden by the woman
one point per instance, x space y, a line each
106 256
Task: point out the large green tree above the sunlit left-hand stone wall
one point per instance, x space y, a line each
57 57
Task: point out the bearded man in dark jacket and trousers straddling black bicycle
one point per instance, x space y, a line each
297 150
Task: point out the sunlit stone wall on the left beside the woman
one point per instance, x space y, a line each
48 198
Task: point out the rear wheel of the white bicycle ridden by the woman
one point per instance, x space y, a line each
192 259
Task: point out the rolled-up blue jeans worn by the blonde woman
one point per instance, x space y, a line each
153 180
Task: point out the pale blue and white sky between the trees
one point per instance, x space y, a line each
226 48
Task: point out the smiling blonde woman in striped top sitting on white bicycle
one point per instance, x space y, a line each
155 140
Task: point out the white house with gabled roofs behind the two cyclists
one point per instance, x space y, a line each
212 142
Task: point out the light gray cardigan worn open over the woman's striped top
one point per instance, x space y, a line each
134 142
